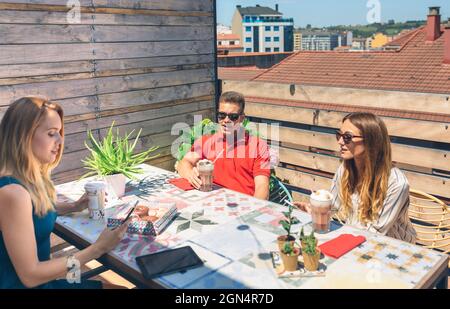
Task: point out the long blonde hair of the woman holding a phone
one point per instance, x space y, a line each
17 129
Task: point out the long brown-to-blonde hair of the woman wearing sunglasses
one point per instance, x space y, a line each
372 183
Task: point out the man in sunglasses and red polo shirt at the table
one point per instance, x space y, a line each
242 160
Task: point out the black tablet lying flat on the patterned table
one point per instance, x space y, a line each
168 261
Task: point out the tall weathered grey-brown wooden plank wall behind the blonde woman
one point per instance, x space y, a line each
143 64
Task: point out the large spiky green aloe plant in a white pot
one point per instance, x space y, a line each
113 158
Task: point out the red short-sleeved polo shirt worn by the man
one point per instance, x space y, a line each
238 161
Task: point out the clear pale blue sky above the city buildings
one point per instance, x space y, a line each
321 13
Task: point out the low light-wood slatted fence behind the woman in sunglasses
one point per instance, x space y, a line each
309 152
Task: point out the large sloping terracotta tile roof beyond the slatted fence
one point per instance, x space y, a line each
416 66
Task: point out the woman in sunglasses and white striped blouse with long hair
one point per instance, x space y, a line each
368 191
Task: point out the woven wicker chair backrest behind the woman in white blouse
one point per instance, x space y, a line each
431 219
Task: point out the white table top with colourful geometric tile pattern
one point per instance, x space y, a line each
235 241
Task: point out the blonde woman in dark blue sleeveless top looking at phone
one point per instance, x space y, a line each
31 144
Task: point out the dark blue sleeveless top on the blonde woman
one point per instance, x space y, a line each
43 227
